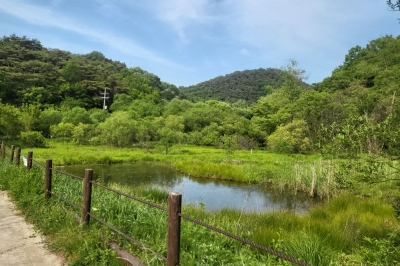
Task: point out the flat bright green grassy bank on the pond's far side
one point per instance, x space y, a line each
295 172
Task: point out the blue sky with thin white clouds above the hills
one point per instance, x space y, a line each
185 42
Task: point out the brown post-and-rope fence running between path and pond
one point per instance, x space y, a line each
173 210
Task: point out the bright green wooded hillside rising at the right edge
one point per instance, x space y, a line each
366 85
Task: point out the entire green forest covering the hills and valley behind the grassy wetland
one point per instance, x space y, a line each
355 110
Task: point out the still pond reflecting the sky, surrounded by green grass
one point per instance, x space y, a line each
214 194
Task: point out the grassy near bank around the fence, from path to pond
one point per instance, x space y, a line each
346 231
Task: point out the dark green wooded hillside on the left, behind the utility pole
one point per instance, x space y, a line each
31 73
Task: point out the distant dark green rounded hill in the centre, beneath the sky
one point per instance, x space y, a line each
248 85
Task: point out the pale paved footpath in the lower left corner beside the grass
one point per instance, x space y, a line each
19 243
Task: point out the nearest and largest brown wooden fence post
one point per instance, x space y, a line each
174 228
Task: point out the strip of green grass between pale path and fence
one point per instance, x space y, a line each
63 235
